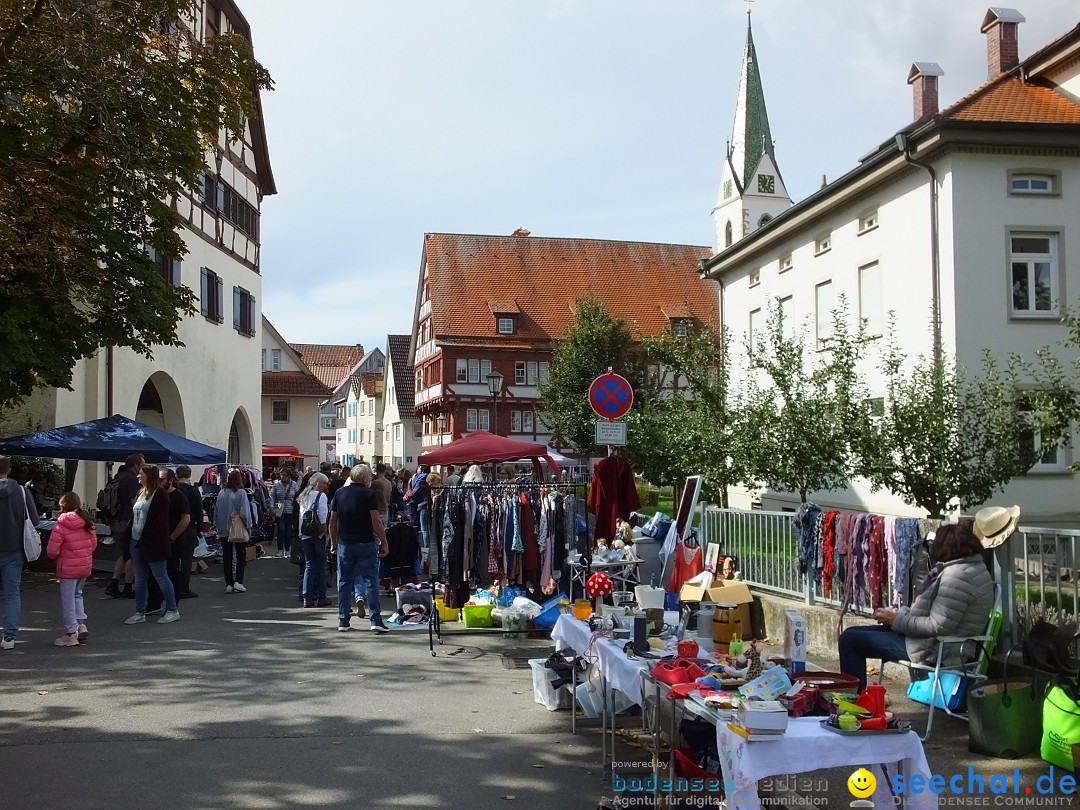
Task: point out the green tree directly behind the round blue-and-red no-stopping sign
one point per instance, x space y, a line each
595 343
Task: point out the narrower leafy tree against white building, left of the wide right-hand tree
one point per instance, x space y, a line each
802 423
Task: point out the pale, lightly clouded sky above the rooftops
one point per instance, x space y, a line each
602 119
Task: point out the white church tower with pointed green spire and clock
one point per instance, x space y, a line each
752 191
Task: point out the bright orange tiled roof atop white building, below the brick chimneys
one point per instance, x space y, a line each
1009 100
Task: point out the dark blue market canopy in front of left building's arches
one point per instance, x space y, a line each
113 439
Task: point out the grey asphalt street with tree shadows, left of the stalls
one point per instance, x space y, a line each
251 703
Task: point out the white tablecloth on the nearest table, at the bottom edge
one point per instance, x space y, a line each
807 747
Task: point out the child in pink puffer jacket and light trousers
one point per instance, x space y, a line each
72 545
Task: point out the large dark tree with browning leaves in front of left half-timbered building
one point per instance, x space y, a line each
109 111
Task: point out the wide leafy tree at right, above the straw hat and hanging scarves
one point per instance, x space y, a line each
947 439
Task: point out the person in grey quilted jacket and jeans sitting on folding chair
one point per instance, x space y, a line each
956 601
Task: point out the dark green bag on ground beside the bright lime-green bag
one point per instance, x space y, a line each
1006 717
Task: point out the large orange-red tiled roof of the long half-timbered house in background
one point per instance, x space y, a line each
640 281
